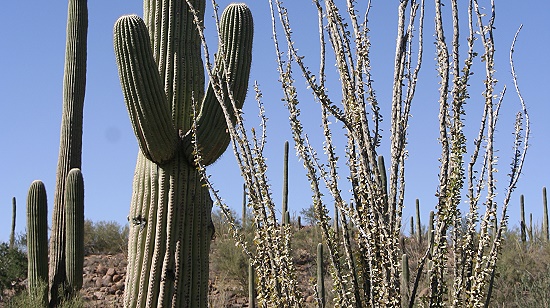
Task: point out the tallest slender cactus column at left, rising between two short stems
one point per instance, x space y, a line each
70 148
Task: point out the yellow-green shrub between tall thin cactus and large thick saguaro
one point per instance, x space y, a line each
105 237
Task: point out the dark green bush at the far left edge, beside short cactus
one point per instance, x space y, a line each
13 265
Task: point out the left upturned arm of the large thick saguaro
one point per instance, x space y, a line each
143 91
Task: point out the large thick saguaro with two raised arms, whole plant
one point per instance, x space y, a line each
162 77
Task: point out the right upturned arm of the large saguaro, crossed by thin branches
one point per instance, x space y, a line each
232 70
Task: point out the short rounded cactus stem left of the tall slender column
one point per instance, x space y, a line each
37 241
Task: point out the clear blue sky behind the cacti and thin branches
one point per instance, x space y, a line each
31 72
